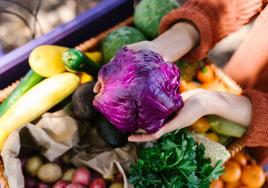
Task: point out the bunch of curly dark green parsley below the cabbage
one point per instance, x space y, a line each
175 161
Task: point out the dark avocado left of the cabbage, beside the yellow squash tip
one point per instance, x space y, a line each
82 102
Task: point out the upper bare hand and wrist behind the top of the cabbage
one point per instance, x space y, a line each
174 43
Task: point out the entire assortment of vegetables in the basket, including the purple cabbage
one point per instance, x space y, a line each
135 90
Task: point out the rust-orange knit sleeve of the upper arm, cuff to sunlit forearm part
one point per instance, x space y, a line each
214 20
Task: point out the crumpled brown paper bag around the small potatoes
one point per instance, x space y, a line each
51 137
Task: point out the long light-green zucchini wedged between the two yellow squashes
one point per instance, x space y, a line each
29 80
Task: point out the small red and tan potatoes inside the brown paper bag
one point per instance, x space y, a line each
62 174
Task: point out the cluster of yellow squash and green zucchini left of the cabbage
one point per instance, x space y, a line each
44 86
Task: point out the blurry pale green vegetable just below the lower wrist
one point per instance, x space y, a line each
225 127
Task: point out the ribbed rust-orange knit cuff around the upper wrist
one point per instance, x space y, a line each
201 22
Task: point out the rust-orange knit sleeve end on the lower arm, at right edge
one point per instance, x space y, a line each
257 133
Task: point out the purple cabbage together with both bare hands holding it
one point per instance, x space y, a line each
138 89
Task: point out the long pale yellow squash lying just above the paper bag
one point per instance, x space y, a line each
37 101
